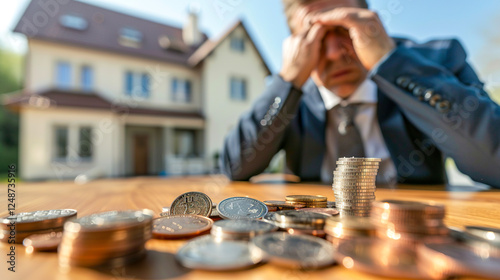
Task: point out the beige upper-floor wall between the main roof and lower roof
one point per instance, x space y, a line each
109 74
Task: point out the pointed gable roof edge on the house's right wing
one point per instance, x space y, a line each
209 46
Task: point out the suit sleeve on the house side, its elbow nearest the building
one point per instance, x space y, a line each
260 133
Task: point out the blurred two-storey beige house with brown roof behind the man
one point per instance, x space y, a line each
108 94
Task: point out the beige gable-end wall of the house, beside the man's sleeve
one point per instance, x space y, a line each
221 112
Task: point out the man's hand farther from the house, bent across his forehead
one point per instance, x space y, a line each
370 40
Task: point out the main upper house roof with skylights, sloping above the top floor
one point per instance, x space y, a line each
103 30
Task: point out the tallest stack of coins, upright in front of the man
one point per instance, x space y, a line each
354 185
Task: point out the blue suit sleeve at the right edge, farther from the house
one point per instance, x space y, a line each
441 95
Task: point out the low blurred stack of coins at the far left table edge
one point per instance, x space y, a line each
22 225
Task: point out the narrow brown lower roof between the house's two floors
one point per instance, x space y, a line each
87 100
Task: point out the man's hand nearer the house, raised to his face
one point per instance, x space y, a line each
301 53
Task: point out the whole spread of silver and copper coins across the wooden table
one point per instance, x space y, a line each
391 238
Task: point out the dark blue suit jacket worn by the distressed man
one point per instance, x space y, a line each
431 105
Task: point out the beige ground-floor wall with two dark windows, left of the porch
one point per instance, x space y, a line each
37 144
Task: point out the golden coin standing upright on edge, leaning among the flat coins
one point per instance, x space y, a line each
194 203
